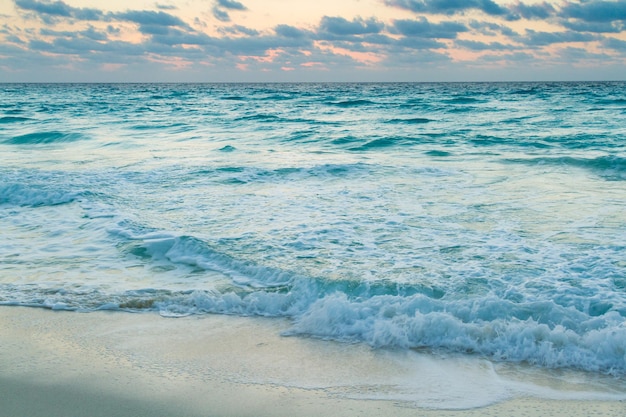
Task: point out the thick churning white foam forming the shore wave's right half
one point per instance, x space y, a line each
541 333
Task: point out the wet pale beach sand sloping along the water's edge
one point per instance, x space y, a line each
120 364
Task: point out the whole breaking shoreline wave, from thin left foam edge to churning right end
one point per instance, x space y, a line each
383 315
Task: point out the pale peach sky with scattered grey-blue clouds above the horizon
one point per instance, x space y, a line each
319 40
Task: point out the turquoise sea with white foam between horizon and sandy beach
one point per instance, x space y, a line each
479 220
